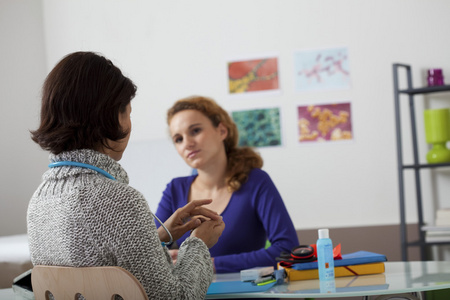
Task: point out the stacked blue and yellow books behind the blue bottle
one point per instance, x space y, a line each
352 264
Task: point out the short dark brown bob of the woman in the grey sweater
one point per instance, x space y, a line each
81 101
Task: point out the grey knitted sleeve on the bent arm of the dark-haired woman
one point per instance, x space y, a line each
123 229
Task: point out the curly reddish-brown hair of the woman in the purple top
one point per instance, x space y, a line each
240 160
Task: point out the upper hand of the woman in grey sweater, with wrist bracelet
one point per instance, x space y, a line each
187 218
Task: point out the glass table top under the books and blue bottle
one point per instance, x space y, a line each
399 277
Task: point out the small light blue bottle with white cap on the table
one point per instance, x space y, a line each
325 256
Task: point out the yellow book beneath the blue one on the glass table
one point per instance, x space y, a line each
362 269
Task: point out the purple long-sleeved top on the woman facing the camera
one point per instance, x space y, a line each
254 214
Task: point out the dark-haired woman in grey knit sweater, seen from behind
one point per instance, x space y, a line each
84 213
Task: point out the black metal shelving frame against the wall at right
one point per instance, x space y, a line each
416 167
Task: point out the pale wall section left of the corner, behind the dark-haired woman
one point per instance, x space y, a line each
22 71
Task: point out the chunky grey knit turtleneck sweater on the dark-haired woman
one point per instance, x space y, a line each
78 217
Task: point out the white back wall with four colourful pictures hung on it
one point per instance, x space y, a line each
172 49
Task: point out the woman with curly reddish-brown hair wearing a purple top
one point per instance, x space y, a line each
206 138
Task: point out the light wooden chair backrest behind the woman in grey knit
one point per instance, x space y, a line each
91 282
